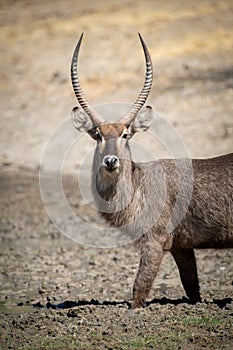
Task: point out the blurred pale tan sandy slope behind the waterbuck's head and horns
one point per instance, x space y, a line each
191 44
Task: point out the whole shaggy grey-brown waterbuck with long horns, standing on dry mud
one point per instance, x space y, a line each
139 198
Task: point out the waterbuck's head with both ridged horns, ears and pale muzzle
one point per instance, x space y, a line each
112 138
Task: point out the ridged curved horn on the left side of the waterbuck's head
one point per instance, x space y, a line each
94 116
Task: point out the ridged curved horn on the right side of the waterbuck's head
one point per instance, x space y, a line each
138 104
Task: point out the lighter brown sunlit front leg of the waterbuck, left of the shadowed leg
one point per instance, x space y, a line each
151 258
